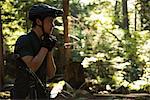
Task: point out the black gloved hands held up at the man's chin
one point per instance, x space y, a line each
48 41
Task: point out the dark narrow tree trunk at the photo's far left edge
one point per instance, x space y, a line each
1 55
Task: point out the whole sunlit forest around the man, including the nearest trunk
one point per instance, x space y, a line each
107 51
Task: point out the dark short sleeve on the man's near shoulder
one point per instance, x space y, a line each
23 46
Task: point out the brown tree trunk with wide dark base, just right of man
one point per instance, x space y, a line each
73 73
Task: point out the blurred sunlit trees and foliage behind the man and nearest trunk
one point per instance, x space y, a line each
110 38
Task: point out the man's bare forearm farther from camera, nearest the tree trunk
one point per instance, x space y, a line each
51 67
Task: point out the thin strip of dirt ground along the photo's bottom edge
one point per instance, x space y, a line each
132 96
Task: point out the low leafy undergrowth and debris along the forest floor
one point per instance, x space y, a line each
62 91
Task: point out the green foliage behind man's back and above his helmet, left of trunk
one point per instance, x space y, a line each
15 21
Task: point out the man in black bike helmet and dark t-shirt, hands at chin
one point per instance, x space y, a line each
34 53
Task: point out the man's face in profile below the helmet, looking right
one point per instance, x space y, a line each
49 24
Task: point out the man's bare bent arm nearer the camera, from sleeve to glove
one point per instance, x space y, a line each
35 62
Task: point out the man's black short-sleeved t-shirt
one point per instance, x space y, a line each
27 45
